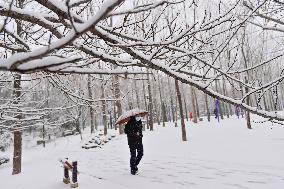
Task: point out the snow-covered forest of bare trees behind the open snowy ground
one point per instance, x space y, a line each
77 65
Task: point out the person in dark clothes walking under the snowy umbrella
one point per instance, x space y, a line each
133 130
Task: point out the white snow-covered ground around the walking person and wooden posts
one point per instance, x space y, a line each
222 155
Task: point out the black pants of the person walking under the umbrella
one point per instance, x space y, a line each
134 160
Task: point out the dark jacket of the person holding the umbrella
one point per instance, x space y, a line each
133 129
